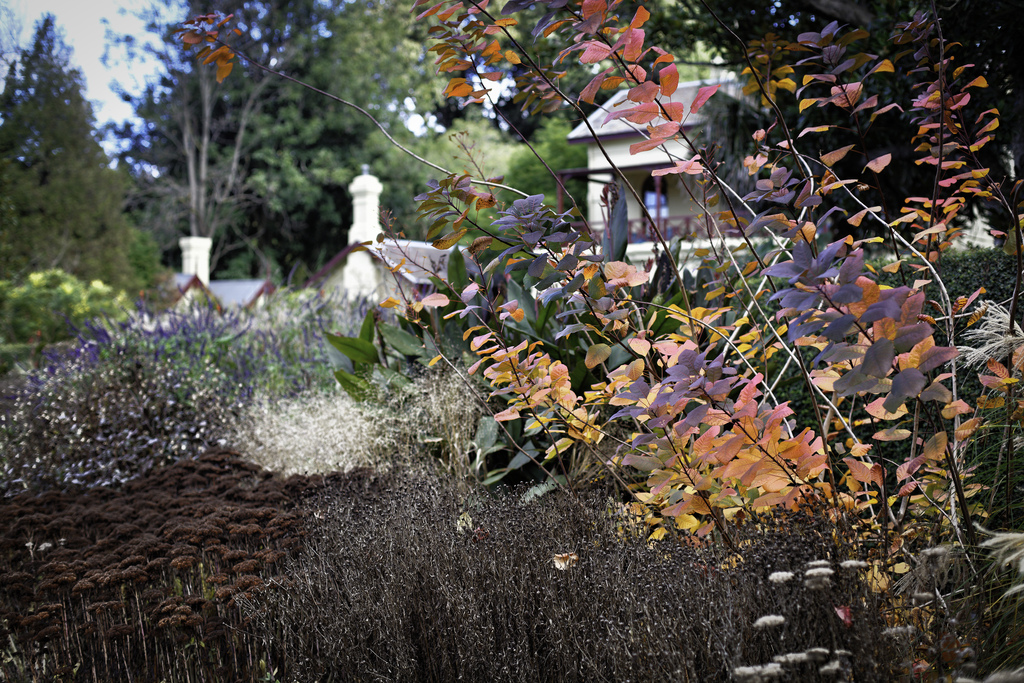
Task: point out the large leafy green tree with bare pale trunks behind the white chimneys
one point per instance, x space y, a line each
261 164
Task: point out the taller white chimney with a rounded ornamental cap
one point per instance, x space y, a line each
362 276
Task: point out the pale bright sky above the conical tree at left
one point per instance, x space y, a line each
84 31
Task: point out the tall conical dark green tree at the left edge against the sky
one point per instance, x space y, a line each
66 201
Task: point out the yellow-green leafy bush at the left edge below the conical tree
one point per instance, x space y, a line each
50 306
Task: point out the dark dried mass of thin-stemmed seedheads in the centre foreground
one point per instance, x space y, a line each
405 583
